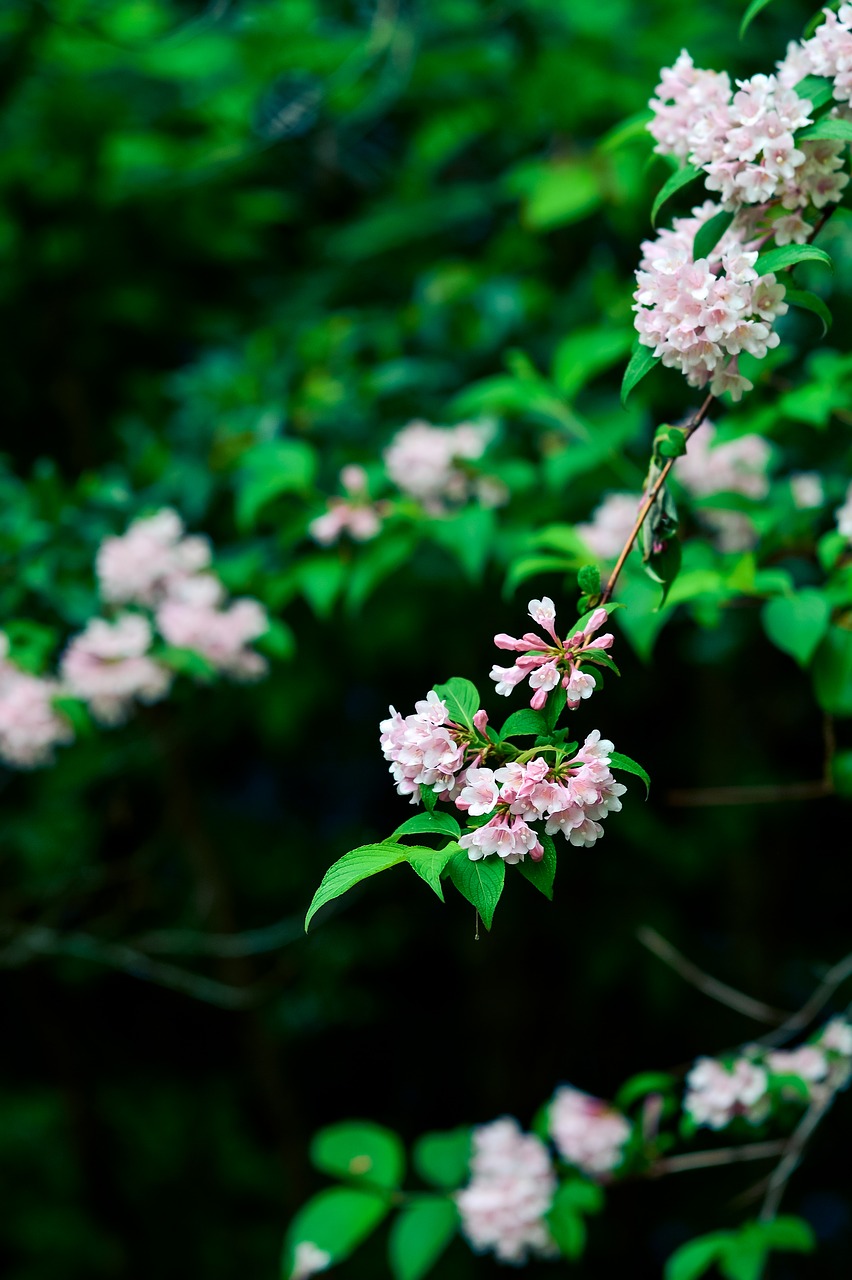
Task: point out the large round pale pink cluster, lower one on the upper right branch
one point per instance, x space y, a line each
700 316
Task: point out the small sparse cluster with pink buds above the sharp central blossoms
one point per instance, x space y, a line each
548 664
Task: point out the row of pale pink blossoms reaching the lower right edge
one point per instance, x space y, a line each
718 1091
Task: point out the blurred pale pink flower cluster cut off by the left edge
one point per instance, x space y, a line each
30 724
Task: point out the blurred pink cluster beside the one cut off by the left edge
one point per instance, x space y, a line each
108 666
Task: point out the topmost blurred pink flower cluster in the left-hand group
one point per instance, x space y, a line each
141 566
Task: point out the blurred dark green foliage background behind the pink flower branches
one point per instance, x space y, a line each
242 246
